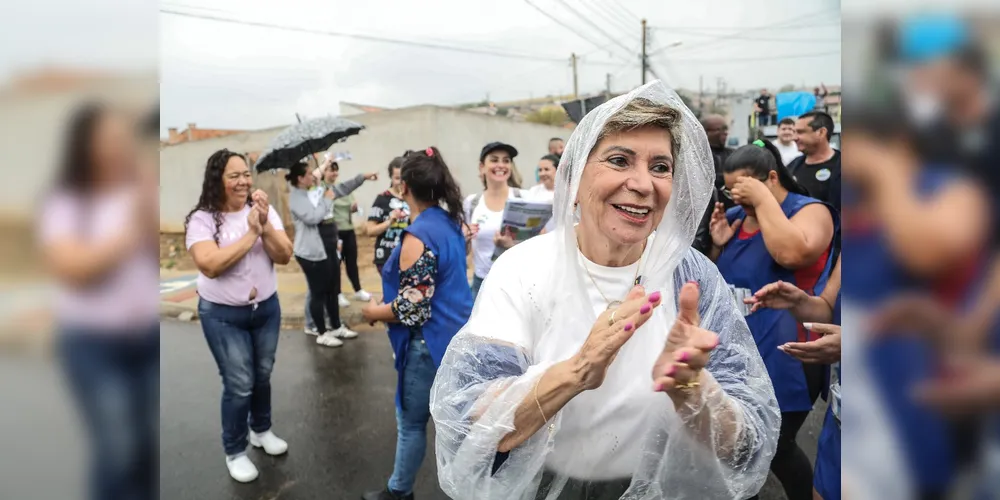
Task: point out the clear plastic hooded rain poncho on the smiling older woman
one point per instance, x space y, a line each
485 375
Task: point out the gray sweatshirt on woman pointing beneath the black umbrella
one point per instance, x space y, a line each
307 217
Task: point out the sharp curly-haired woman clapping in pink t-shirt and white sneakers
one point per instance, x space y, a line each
235 239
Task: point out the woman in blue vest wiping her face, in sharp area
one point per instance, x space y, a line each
775 232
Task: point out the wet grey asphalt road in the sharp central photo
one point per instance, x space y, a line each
334 406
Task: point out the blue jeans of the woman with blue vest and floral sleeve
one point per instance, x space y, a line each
412 419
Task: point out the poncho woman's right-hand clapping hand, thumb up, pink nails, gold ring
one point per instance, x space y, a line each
678 370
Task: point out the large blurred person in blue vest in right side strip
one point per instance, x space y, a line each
914 228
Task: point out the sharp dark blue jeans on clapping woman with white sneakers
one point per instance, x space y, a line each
243 341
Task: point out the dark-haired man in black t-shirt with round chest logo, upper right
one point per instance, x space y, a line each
819 166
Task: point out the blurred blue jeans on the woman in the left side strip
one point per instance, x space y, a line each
114 378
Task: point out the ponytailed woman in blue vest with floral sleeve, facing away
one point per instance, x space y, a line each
429 301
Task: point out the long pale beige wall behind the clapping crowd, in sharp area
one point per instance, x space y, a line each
459 135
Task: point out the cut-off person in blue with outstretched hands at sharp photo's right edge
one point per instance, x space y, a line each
819 314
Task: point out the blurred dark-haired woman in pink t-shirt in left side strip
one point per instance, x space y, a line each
97 236
